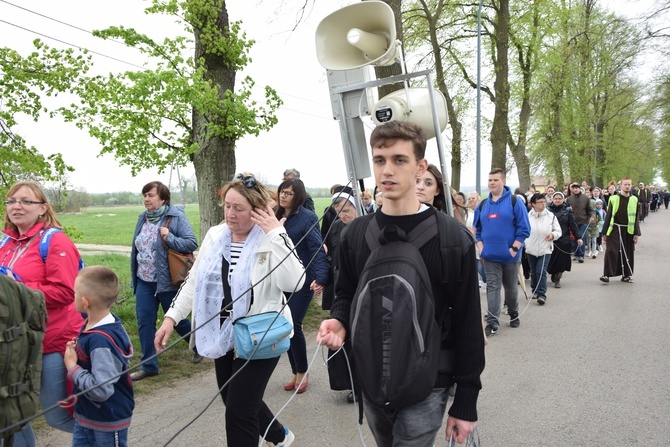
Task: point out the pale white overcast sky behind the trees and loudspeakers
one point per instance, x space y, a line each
306 137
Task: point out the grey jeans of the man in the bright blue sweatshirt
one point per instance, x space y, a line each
498 276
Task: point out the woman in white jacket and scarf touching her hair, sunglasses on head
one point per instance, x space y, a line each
243 268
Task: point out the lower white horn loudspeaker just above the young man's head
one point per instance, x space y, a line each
412 106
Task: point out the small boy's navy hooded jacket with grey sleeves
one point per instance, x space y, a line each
102 353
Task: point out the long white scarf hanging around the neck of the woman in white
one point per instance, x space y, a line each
214 339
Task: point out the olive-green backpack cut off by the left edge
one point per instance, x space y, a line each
22 324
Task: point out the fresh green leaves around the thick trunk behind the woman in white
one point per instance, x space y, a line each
144 118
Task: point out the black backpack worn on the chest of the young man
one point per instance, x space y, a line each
395 336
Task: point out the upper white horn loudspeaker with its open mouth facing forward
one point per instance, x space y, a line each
357 35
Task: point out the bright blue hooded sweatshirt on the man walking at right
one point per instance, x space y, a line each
499 224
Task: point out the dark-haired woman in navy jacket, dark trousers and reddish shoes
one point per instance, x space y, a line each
303 229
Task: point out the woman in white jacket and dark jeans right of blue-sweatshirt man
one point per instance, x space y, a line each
544 228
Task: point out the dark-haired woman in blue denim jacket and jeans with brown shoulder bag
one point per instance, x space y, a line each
161 227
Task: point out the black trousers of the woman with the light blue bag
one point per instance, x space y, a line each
247 416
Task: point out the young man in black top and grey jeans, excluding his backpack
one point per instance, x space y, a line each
398 158
